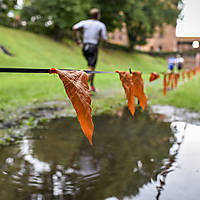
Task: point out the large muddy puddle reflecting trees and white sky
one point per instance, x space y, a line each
132 159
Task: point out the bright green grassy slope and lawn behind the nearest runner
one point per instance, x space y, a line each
31 50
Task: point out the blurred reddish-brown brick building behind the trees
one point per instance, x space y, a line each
163 40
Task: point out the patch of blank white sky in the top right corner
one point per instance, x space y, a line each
190 25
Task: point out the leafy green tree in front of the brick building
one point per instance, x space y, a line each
143 17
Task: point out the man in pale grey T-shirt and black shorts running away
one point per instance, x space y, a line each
93 32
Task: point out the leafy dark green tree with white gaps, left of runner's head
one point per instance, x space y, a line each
52 17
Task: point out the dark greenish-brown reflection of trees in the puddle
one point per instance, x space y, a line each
125 155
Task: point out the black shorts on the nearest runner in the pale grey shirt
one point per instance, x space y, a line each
90 51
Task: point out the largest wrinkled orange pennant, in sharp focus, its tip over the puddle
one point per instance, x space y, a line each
77 89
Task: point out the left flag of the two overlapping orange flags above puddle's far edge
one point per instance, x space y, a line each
127 83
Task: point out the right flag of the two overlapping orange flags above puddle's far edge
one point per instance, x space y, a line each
138 89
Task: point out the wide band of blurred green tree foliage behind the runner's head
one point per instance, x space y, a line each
141 17
